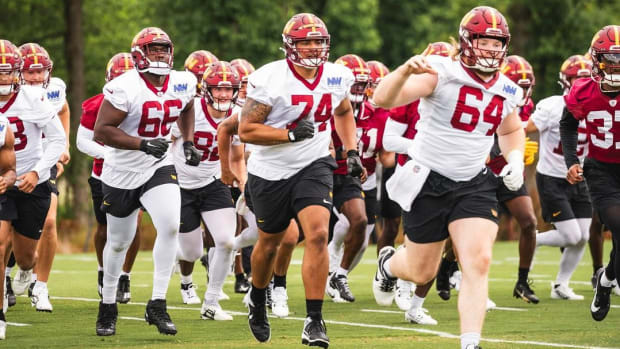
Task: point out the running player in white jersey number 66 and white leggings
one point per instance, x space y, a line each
134 121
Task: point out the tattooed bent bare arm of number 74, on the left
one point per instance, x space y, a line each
252 128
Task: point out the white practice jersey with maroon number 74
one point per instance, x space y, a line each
292 98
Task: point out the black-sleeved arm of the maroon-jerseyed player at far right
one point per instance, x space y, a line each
568 137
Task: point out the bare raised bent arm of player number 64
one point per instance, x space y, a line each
409 82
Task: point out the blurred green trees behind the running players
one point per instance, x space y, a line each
81 36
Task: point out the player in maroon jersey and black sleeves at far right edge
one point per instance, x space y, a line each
596 100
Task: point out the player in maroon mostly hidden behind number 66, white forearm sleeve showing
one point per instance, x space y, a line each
118 64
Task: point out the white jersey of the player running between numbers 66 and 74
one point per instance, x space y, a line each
205 140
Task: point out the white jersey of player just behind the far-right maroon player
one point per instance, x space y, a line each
547 120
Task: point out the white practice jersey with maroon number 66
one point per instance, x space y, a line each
150 114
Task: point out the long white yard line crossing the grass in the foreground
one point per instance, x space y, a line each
357 324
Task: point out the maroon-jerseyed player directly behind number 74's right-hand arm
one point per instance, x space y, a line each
370 123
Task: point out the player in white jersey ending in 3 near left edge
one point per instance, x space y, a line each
26 205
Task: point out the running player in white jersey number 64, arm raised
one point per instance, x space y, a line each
446 188
